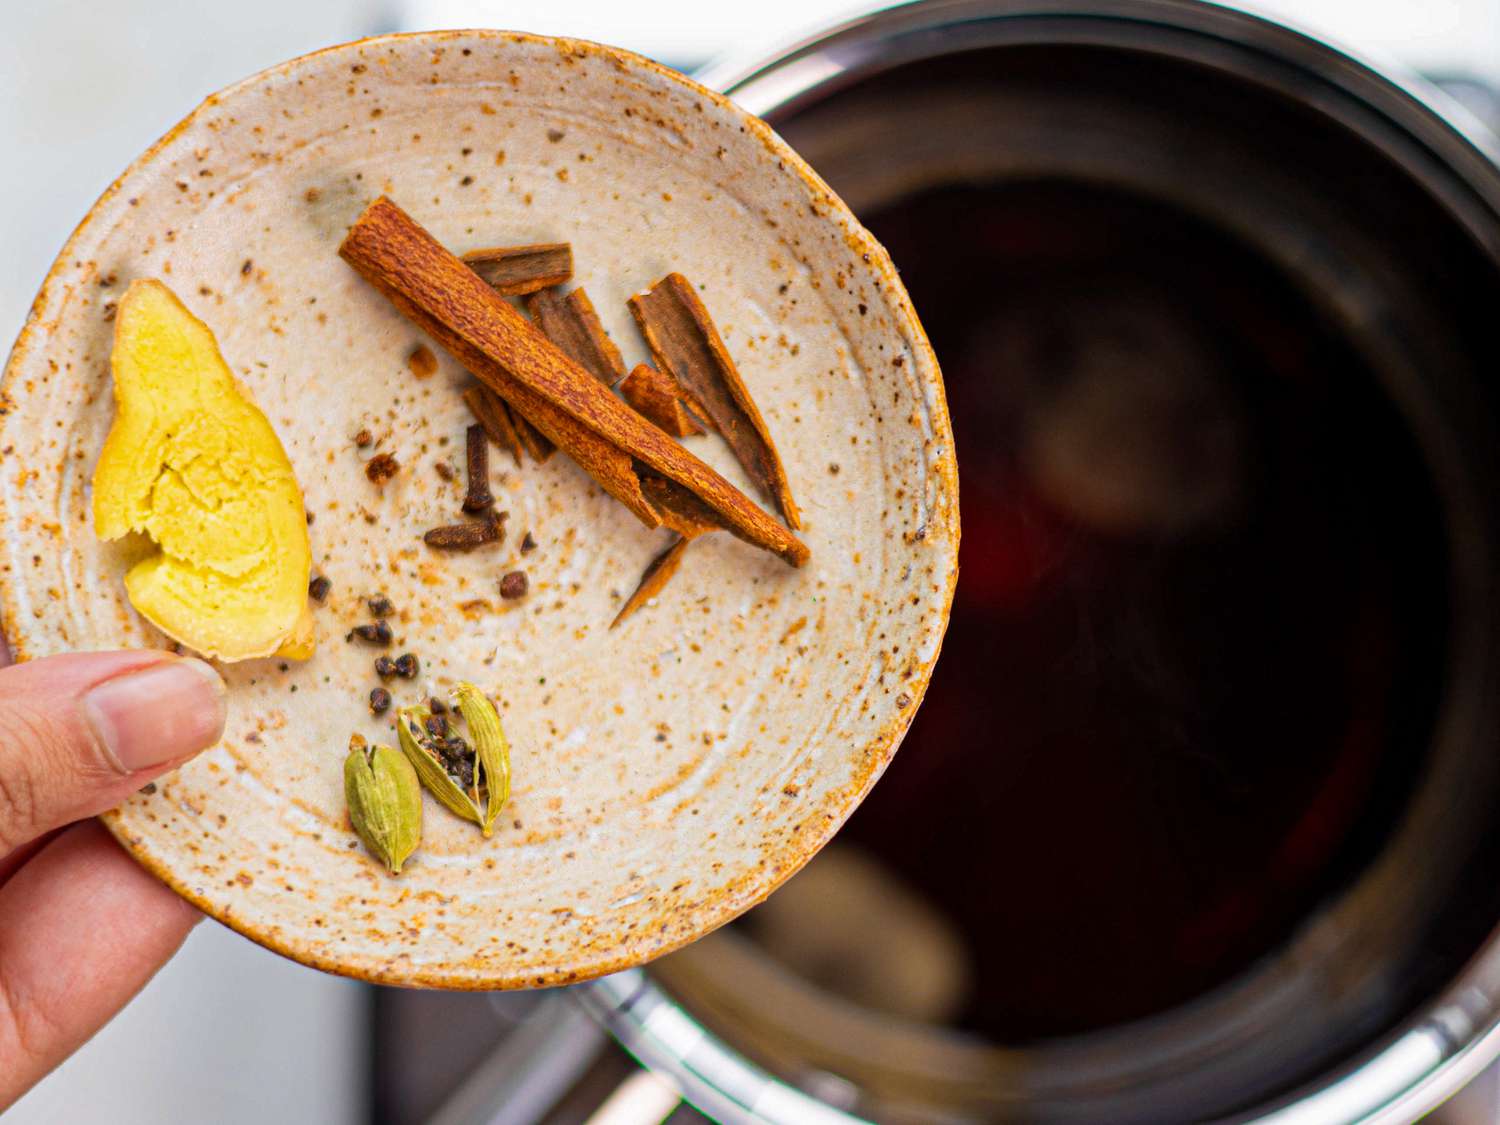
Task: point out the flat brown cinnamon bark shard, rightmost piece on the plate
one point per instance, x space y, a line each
688 346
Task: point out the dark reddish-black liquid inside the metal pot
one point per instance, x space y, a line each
1199 626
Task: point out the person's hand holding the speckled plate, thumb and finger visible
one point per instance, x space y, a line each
82 926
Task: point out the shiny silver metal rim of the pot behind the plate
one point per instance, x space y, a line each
1453 1037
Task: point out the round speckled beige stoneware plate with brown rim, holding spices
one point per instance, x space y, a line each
670 773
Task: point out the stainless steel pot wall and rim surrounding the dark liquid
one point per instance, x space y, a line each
1385 212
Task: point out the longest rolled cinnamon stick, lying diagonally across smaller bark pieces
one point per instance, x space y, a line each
511 356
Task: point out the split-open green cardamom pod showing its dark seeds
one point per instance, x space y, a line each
472 778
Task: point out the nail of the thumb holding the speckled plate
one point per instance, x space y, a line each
158 715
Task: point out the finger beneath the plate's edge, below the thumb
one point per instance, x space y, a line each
82 931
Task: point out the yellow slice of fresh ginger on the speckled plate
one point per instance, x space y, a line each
191 463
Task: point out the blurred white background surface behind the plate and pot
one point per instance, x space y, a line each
229 1033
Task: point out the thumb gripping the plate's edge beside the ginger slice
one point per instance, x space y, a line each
82 733
